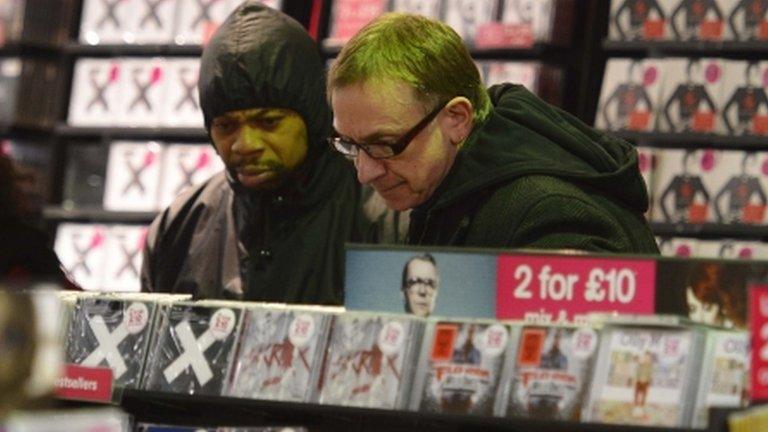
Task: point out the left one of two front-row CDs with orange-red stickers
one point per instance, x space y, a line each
460 367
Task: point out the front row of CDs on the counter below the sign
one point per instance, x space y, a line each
658 370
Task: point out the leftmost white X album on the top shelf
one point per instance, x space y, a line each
105 21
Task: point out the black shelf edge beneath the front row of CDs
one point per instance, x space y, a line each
198 410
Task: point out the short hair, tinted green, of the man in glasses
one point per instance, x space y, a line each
424 53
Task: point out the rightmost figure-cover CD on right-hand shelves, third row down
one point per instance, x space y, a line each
739 187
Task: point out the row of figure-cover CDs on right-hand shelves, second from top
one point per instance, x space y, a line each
707 95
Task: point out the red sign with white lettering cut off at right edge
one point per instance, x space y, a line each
758 321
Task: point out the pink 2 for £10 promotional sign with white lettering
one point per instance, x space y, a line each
563 288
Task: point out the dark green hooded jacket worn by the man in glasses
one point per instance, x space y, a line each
533 176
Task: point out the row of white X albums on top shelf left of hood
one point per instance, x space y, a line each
190 22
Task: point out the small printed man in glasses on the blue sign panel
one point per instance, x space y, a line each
420 285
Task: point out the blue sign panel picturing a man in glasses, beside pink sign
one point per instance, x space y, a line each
420 282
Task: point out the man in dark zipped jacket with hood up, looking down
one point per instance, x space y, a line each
272 226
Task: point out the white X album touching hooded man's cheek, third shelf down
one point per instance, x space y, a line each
184 166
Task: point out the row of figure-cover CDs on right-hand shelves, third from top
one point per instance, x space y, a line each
705 185
